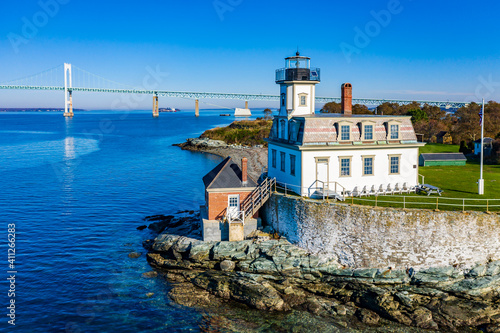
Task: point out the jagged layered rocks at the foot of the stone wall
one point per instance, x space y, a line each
276 276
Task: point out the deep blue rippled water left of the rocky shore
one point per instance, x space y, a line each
76 190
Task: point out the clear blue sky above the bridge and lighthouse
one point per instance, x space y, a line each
389 49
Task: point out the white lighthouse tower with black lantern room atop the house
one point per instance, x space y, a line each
297 86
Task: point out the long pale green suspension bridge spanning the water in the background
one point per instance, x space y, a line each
69 79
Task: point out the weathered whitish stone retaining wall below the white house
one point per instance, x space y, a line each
369 237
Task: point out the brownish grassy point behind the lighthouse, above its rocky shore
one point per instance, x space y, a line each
243 132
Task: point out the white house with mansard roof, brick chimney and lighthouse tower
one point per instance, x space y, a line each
317 154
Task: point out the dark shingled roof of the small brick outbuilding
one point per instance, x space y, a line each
226 175
